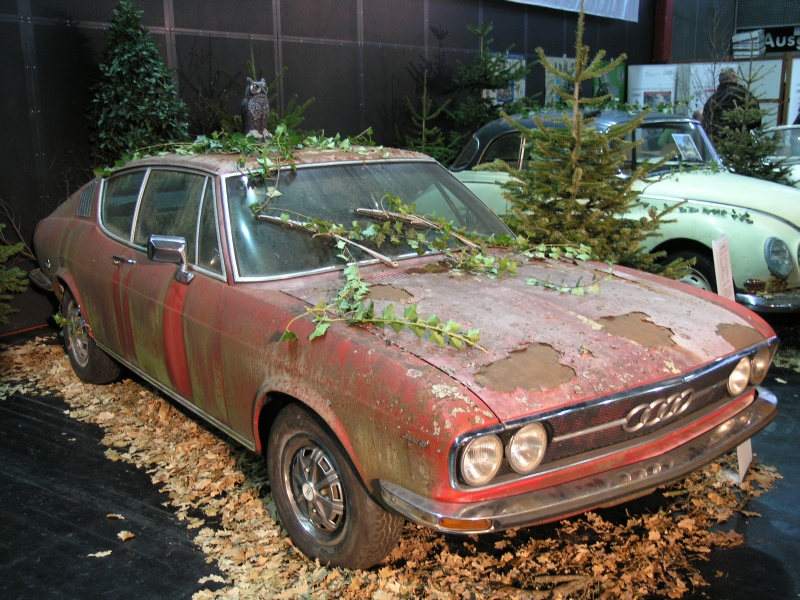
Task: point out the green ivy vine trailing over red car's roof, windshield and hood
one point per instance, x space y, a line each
396 223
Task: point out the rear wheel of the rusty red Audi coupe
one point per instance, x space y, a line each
89 362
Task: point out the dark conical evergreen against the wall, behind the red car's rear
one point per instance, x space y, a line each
135 103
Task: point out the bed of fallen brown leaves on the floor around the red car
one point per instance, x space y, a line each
649 547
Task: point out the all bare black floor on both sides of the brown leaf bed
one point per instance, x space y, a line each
57 488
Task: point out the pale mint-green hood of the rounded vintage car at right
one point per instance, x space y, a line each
721 187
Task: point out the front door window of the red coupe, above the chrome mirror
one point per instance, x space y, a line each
170 206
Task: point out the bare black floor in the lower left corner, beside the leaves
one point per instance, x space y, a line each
57 490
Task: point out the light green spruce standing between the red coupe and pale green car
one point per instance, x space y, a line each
571 193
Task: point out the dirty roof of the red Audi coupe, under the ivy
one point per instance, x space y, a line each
223 163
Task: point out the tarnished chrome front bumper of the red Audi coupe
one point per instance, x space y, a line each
577 496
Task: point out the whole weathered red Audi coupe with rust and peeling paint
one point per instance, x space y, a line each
188 270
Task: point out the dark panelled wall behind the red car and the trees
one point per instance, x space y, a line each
353 57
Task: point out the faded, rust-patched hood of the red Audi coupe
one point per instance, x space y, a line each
543 348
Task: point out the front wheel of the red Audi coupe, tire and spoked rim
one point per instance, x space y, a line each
321 501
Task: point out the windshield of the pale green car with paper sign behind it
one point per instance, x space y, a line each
686 142
